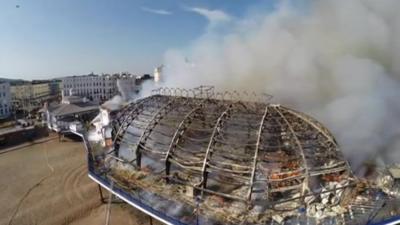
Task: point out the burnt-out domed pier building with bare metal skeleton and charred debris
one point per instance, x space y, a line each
228 160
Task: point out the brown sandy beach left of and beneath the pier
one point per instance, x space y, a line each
47 183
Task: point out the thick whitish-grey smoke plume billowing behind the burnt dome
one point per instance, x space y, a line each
338 60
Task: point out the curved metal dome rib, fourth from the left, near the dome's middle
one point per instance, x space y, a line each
217 126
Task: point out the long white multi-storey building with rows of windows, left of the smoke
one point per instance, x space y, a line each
97 88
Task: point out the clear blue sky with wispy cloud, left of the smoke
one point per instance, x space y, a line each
49 38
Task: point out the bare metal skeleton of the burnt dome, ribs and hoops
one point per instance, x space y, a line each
288 122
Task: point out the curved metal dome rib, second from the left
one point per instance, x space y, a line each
153 122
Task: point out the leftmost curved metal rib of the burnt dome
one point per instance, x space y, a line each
137 109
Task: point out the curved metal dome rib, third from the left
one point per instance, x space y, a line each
178 134
